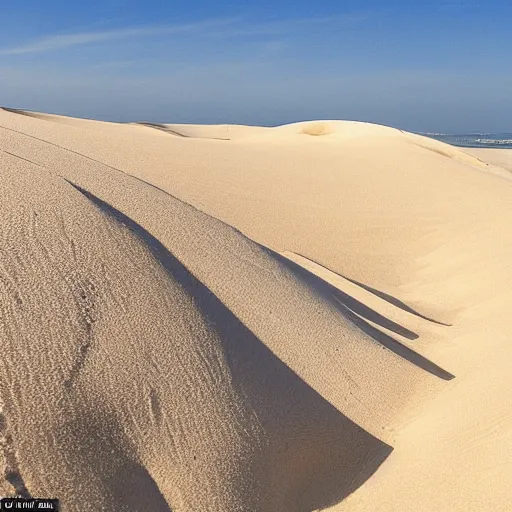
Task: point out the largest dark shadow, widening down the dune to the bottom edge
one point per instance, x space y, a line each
340 456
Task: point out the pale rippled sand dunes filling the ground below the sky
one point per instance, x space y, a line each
267 323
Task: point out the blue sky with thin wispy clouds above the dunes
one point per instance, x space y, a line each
442 65
